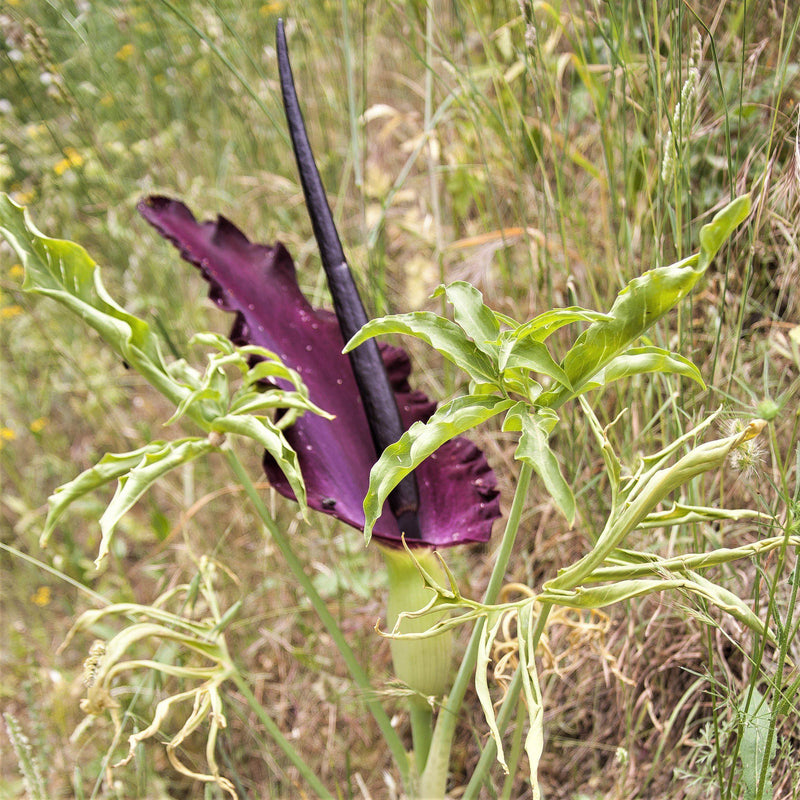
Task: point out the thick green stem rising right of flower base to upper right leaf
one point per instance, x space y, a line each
433 781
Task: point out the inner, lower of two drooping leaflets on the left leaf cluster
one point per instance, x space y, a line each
136 481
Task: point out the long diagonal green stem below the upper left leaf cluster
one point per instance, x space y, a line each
357 672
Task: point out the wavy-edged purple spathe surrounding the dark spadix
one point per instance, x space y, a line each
458 494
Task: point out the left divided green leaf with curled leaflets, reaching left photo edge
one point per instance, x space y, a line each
65 272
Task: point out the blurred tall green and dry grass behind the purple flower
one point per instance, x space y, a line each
544 152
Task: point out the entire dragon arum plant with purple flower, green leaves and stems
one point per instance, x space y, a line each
346 435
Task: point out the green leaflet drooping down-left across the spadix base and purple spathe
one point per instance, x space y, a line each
421 440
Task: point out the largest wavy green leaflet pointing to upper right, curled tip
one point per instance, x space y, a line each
640 304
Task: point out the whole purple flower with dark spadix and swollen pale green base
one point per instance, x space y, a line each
450 499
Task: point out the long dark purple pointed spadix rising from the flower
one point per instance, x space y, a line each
383 416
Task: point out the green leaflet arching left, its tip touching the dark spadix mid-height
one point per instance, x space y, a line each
440 333
